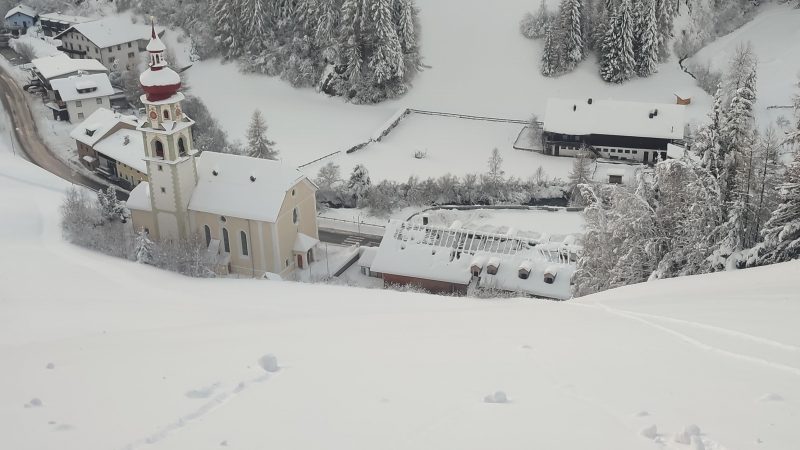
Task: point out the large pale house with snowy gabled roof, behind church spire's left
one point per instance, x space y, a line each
114 41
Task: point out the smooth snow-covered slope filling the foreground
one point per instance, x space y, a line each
102 354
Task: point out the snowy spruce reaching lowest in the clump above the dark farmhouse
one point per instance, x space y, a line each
617 62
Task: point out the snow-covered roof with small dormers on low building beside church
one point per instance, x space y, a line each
447 255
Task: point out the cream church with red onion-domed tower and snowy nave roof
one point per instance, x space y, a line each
254 215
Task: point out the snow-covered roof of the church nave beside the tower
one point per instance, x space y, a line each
232 191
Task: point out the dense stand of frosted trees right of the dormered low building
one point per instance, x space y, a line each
730 203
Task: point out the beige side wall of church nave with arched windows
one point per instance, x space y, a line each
257 261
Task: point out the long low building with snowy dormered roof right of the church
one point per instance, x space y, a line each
452 260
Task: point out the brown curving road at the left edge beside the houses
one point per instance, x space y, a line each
26 135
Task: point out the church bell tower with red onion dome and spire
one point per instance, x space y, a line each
169 151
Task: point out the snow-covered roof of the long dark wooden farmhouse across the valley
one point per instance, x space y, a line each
619 118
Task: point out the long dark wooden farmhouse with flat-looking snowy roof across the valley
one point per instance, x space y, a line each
618 130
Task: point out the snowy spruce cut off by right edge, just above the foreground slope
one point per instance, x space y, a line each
782 232
